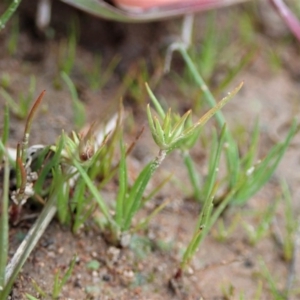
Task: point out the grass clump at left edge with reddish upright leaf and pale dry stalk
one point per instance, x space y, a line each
53 161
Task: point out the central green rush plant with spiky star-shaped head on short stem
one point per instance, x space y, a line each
169 132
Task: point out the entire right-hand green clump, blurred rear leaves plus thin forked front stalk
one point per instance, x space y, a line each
244 176
